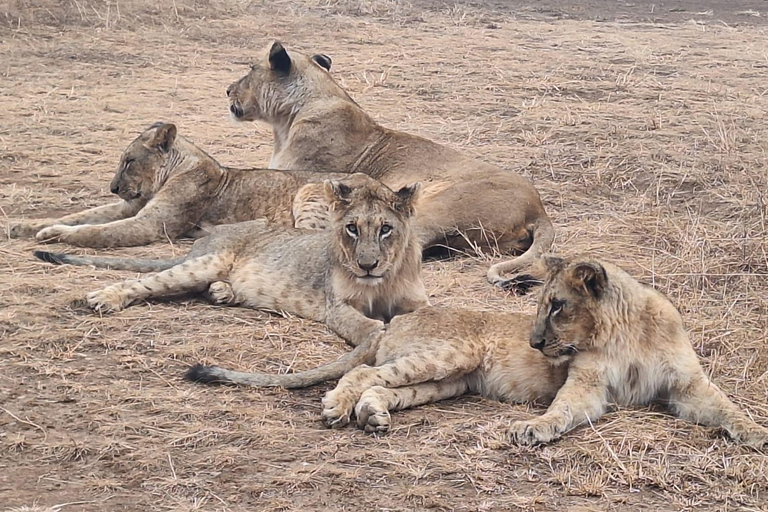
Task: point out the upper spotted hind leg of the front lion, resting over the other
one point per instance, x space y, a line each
415 368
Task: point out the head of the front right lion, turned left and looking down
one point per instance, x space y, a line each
566 317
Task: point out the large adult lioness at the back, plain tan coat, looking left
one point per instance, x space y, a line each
467 204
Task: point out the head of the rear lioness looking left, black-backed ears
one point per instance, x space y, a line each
277 85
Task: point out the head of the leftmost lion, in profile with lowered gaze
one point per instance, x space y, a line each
137 175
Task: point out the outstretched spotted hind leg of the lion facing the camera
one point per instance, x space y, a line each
191 276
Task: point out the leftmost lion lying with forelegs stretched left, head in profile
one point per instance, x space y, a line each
170 188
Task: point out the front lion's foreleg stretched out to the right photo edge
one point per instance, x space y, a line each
702 402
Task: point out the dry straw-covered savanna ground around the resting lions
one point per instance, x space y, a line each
643 126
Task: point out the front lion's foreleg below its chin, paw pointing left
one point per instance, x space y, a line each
582 398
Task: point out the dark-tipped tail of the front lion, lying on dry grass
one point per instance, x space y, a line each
363 353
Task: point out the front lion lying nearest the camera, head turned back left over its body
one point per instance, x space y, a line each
600 337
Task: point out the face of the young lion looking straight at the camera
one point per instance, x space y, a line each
371 224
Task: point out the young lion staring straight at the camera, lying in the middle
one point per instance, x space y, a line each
354 277
